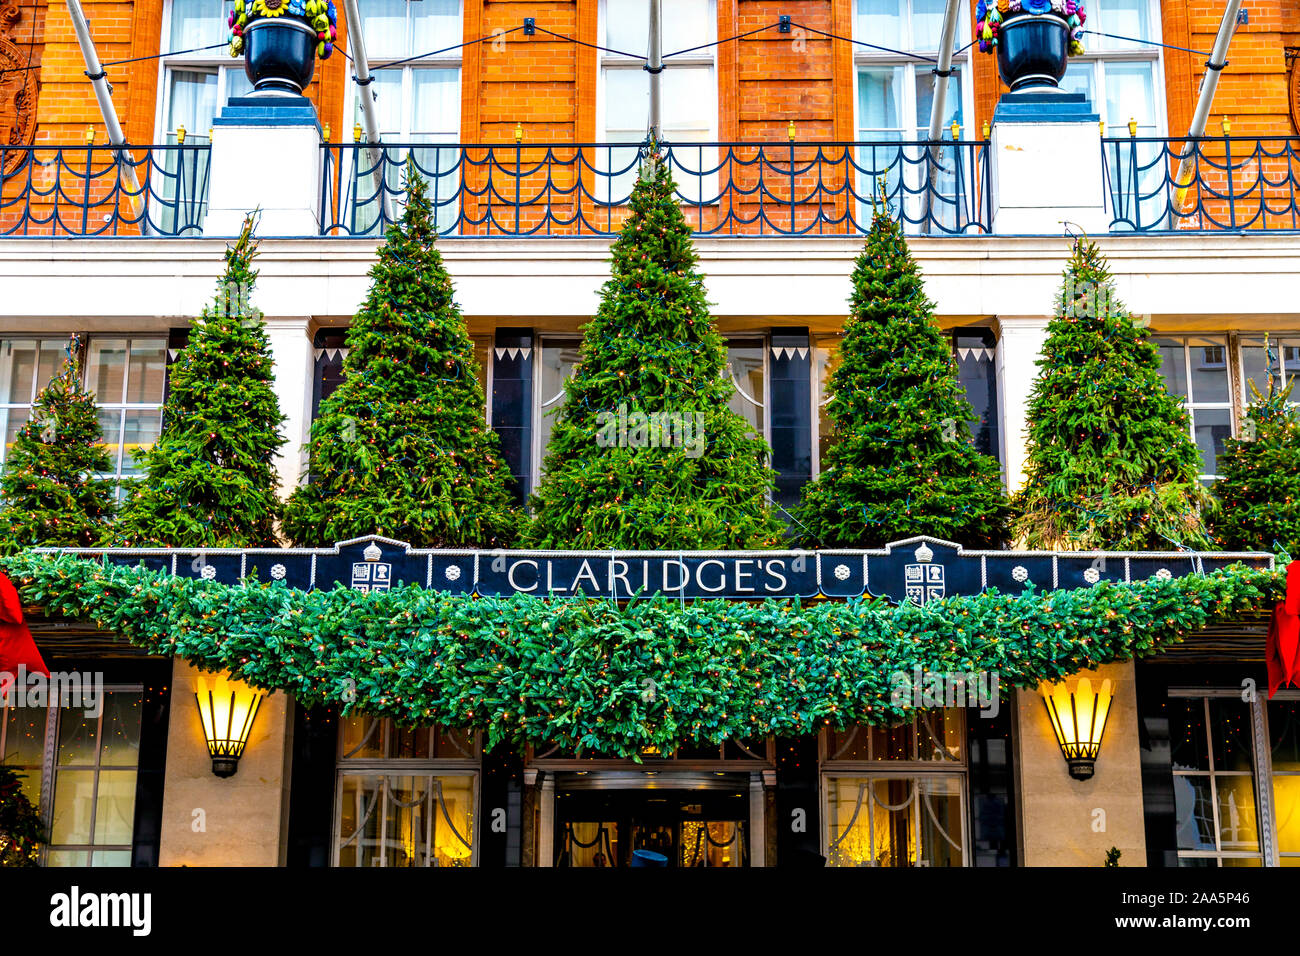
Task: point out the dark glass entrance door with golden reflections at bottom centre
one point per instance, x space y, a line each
652 828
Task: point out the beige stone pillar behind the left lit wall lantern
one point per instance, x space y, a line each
241 820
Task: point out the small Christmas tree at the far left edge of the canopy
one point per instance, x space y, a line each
53 495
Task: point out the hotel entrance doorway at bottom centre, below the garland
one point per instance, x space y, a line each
668 820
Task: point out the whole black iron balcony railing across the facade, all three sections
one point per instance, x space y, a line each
798 189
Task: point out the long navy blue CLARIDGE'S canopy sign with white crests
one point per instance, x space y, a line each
920 569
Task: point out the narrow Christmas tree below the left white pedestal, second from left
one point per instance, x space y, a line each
210 481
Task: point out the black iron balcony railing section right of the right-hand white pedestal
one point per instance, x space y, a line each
1211 184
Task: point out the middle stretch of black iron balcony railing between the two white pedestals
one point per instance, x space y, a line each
726 189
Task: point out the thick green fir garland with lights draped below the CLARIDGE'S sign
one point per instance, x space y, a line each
588 674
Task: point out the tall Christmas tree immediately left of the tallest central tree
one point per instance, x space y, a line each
402 448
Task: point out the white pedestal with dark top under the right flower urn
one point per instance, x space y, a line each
1046 166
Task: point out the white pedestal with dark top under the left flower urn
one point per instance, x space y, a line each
266 155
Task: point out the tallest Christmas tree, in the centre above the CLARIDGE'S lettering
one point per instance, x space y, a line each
645 452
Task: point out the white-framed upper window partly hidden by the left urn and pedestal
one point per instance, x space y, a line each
194 89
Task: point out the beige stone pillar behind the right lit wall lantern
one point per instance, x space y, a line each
1069 823
